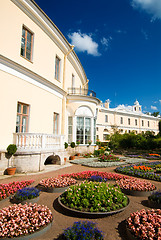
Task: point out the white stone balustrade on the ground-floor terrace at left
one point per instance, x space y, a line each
38 141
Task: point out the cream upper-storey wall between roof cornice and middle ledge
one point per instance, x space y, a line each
44 49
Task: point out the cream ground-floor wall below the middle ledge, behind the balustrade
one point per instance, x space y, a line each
42 105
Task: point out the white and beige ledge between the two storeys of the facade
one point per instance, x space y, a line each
20 71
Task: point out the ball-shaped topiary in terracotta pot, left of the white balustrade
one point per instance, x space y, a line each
11 149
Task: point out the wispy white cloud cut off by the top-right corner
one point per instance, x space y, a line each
152 7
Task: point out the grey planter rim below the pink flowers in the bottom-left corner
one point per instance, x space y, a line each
33 235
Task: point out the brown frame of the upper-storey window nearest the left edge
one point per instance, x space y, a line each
25 49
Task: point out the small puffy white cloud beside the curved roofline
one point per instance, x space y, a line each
84 43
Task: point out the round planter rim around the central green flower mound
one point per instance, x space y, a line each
89 214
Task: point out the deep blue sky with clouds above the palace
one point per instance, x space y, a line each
119 45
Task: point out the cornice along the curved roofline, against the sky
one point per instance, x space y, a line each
34 12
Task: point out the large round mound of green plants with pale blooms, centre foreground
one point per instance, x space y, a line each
94 197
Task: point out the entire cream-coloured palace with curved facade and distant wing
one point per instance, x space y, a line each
45 100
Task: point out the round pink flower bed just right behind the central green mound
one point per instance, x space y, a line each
136 187
